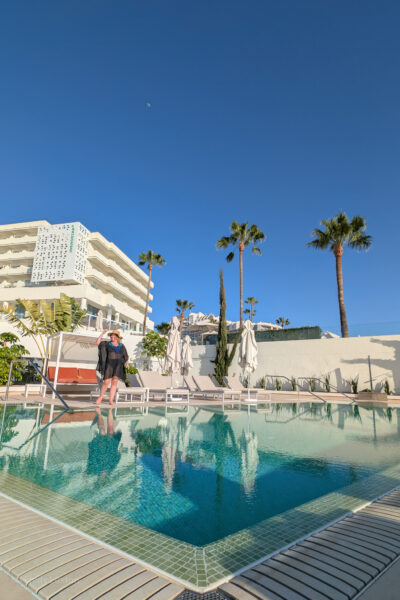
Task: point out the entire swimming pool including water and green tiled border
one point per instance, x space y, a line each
223 487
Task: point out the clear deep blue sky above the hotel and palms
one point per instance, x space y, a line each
277 113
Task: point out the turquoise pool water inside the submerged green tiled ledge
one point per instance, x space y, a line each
198 474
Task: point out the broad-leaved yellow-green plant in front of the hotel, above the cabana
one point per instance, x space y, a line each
42 319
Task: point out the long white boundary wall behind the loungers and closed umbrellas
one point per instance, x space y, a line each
342 358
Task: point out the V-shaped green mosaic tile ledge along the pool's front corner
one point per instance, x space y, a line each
201 568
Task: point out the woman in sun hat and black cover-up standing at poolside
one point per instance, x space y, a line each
113 360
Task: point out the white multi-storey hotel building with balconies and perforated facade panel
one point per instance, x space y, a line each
38 261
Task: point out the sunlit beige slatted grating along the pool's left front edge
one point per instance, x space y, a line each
56 563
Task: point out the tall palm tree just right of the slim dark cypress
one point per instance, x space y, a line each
242 236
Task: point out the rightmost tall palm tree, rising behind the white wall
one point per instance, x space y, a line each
338 232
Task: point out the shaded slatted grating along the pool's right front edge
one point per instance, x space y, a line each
335 564
